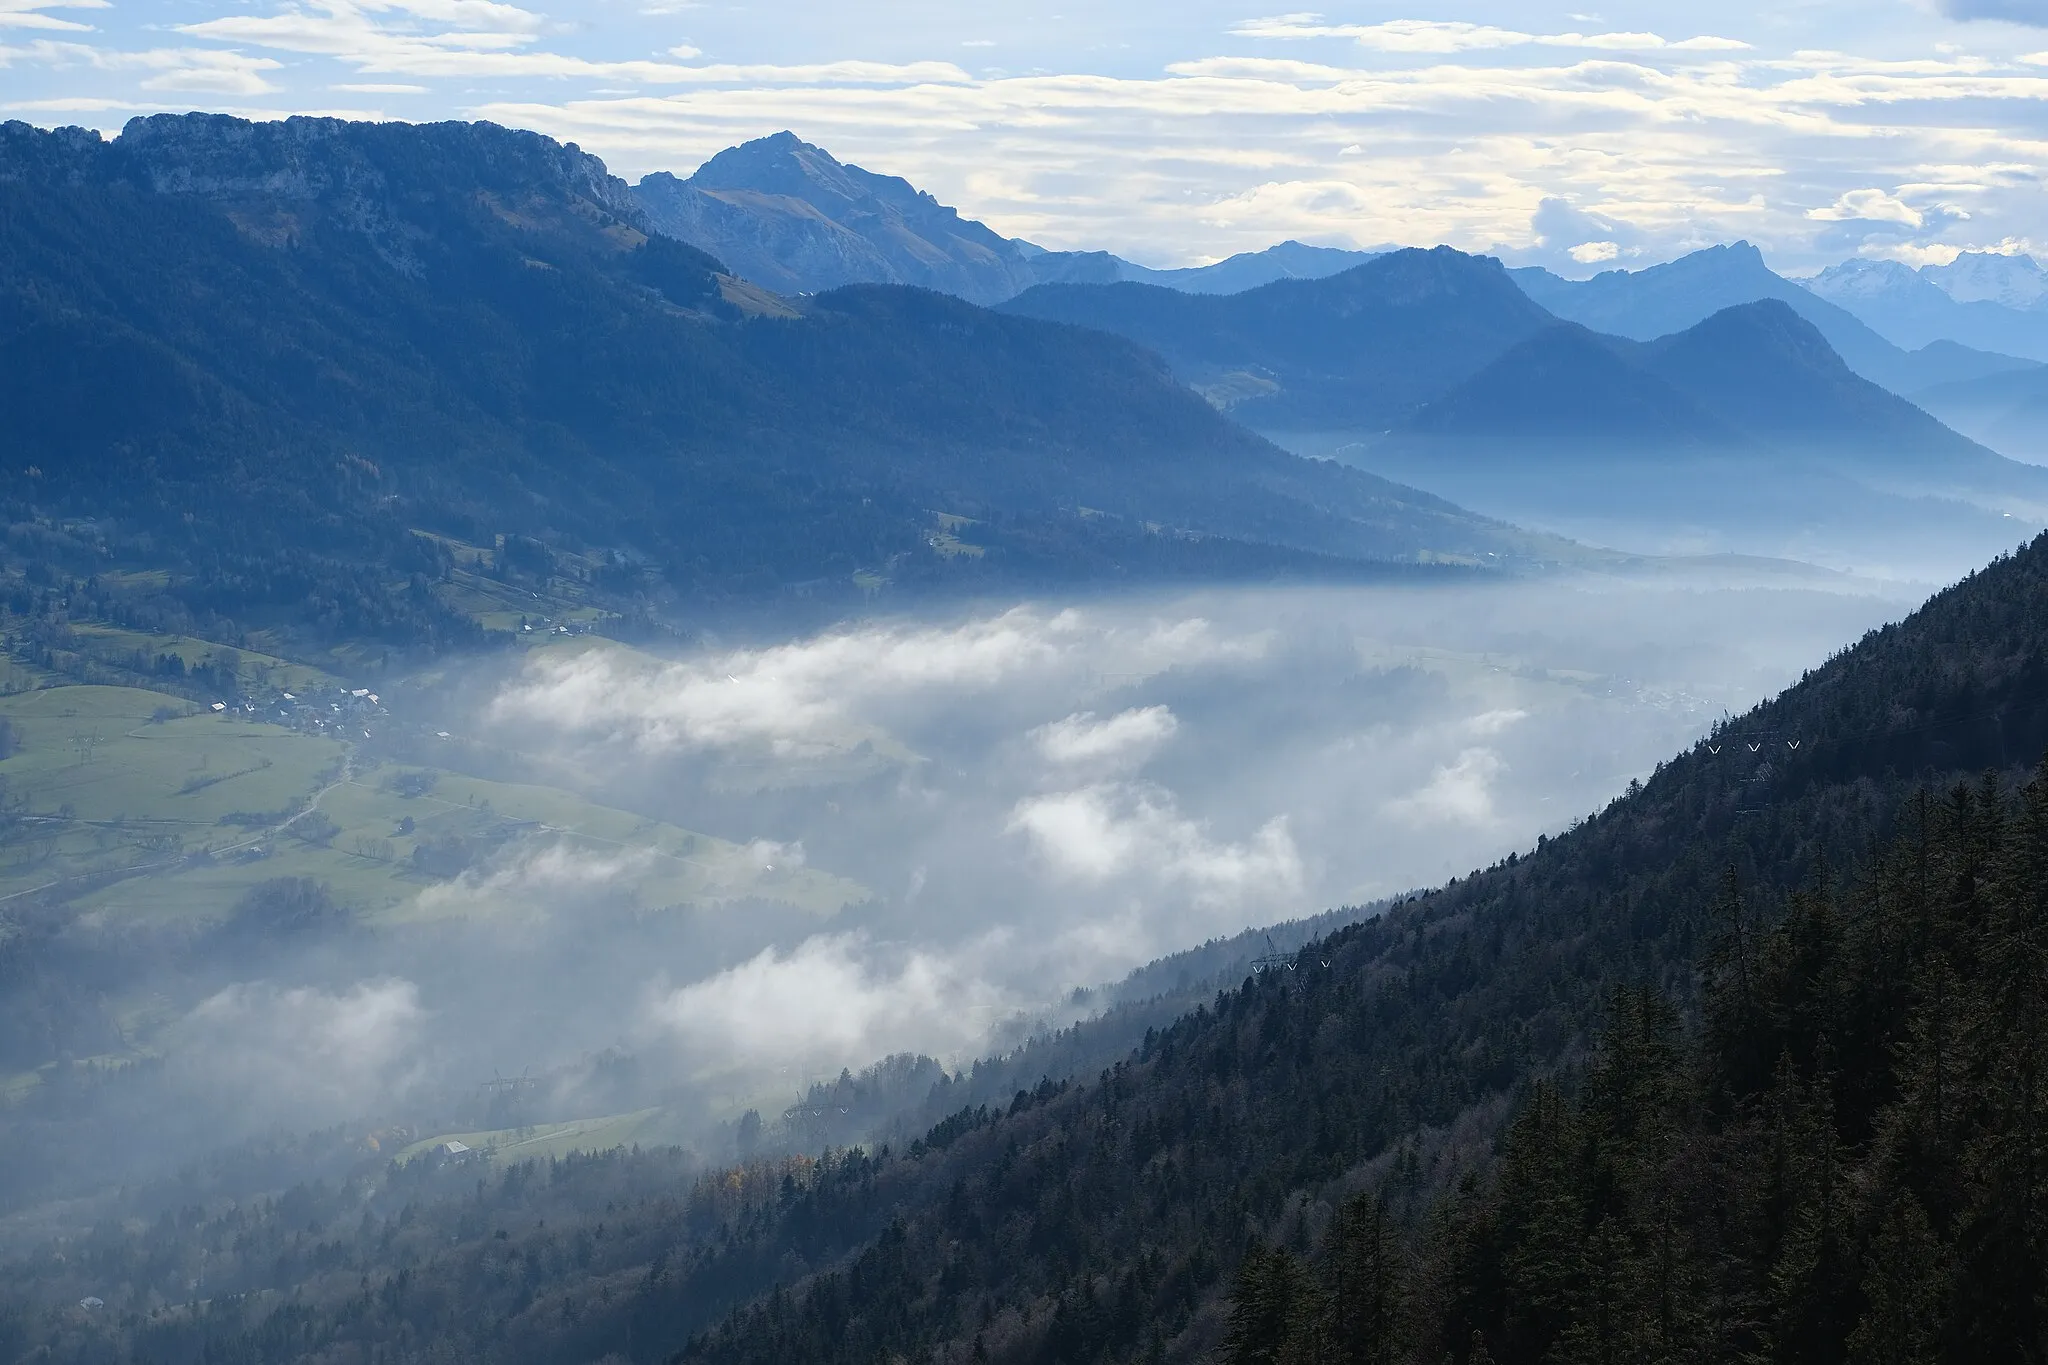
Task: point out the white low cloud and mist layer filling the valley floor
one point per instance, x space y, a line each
1052 797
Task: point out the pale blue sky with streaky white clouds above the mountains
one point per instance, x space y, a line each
1179 132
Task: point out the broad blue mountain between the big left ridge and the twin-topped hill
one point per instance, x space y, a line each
1353 351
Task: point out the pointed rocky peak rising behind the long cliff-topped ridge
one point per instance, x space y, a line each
796 220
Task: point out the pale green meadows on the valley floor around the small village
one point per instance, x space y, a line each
144 807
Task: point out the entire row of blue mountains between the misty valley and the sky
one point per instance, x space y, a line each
470 333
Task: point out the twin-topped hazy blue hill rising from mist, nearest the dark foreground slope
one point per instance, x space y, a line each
1742 433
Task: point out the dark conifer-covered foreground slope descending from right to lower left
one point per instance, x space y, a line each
1113 1221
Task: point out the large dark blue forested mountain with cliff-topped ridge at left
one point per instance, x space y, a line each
368 331
